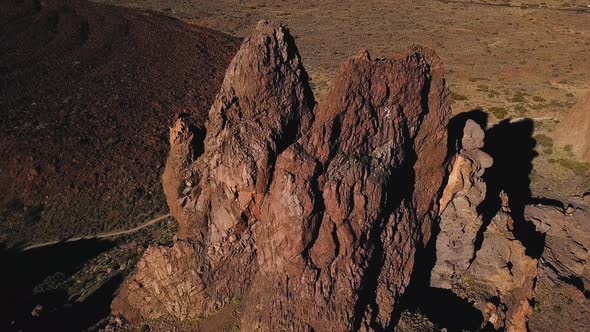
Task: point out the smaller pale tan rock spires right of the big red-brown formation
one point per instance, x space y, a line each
481 260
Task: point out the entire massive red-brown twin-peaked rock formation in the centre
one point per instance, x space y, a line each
314 219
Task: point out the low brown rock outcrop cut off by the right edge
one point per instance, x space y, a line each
563 286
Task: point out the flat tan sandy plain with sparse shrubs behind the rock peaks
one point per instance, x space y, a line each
512 58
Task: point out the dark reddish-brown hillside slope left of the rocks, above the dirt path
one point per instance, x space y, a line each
87 92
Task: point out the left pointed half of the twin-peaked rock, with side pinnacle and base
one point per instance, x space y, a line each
214 194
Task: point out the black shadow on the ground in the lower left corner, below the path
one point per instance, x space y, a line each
32 280
